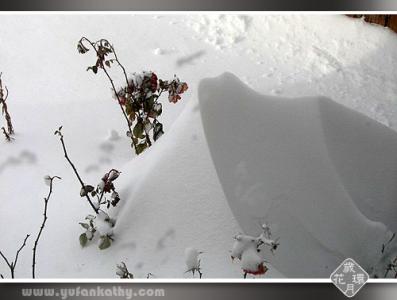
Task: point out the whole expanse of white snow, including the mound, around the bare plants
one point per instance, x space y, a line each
322 175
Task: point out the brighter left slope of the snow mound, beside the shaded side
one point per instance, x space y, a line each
176 202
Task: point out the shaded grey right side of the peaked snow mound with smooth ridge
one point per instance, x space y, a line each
322 174
